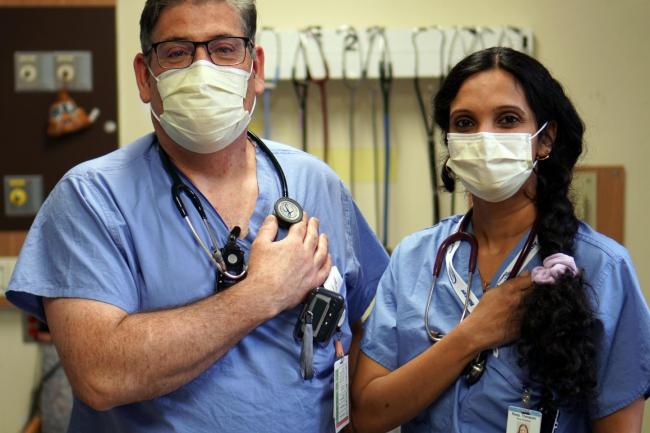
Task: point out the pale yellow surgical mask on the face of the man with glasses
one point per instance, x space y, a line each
203 105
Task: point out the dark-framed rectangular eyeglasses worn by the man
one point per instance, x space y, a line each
224 51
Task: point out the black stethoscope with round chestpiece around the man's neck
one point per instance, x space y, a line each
229 260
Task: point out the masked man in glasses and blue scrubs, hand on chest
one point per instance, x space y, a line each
128 292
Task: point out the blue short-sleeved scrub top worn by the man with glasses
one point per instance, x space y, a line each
109 231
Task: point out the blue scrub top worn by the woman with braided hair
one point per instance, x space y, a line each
394 333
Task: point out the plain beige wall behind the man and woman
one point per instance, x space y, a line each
596 48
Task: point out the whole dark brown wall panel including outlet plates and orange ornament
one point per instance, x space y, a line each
54 62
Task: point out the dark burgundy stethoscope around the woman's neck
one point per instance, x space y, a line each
475 369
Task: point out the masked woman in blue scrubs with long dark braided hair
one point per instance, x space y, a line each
574 354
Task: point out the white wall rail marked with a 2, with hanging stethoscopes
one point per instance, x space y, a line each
431 51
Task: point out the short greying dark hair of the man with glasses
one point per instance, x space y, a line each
246 10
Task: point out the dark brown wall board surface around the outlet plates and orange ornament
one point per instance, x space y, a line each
26 149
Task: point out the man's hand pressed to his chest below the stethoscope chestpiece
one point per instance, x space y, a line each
287 270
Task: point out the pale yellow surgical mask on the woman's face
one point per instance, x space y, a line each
492 166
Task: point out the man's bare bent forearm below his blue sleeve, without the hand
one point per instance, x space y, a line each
145 355
